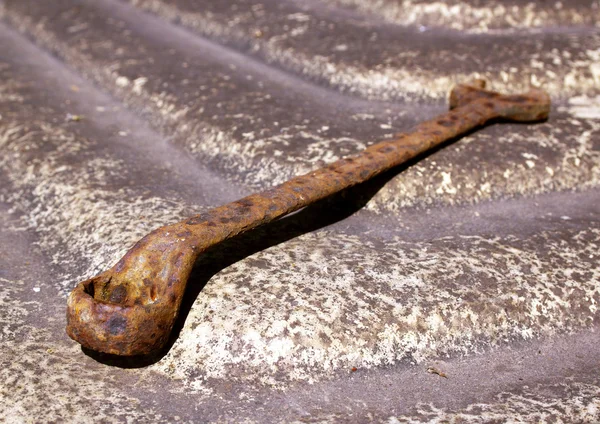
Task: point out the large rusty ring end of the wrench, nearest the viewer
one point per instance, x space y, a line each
130 309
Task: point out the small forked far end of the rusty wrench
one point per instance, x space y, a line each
532 106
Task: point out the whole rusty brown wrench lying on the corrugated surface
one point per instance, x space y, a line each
131 308
